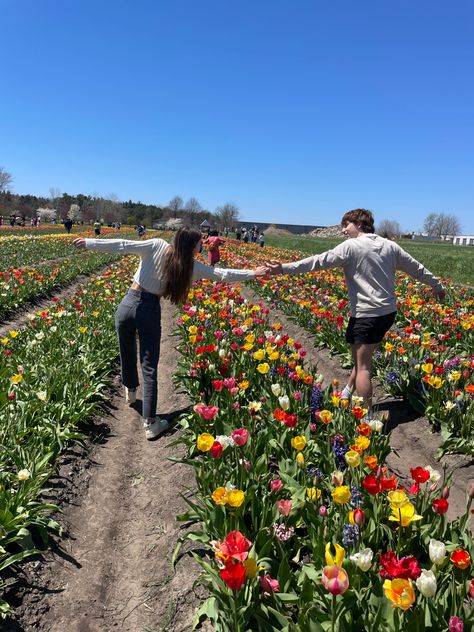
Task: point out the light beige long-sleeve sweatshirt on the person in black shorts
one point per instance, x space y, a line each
369 263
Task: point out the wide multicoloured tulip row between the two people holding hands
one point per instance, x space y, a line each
306 527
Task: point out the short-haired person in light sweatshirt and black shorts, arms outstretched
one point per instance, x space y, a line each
369 263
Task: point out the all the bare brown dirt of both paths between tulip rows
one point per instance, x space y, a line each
111 570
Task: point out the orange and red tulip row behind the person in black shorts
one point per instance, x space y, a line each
427 356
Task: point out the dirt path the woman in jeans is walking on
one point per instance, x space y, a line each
112 571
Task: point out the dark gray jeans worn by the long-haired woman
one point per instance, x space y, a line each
140 313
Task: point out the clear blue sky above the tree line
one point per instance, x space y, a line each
295 111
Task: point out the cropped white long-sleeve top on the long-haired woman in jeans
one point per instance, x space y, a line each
151 273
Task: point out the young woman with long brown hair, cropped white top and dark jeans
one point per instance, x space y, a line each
165 271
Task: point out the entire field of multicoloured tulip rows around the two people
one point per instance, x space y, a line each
302 524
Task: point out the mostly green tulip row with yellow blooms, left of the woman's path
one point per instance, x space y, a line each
44 396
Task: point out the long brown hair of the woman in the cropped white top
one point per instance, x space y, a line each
179 264
